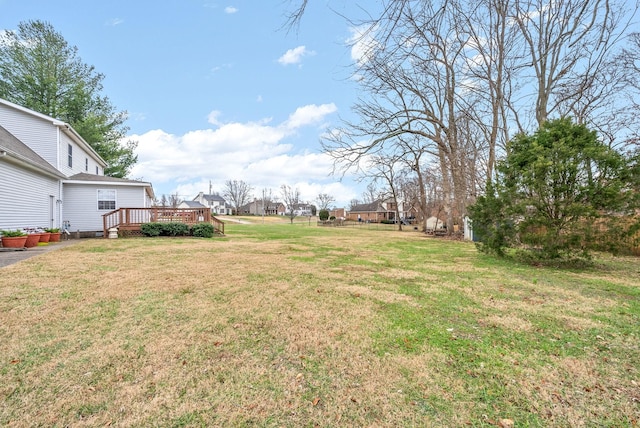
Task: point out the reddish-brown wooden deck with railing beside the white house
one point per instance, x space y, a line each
129 221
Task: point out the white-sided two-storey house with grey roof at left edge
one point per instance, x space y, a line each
50 177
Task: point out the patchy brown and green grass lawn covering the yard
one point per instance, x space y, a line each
295 325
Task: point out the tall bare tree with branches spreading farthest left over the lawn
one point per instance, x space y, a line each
413 81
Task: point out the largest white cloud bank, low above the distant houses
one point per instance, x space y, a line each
256 152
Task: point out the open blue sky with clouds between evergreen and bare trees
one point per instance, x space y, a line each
217 90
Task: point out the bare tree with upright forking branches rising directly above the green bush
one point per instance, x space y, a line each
567 43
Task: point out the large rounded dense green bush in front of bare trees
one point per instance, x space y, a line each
552 190
